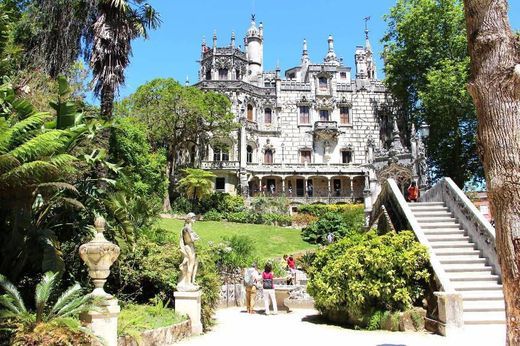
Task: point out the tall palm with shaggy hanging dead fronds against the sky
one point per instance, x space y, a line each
118 23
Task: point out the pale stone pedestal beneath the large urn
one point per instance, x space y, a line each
103 323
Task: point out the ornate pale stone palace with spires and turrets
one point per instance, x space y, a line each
317 133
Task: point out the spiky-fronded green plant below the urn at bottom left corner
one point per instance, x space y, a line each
28 326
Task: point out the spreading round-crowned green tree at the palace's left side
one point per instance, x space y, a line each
180 119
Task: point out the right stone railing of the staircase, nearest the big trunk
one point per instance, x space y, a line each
471 219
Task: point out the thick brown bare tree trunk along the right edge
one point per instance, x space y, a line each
495 89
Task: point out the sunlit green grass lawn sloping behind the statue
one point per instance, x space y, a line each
269 241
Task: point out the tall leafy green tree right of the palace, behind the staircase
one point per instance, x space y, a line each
426 67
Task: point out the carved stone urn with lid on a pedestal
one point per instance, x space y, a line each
99 254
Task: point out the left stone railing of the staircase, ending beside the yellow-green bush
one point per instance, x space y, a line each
449 302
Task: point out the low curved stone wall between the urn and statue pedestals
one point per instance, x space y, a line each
161 336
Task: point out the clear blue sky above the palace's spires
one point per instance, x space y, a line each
174 48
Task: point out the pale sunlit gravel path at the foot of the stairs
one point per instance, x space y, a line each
305 327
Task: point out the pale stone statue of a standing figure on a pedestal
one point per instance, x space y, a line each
189 263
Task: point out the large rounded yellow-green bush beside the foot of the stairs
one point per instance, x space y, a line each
363 273
